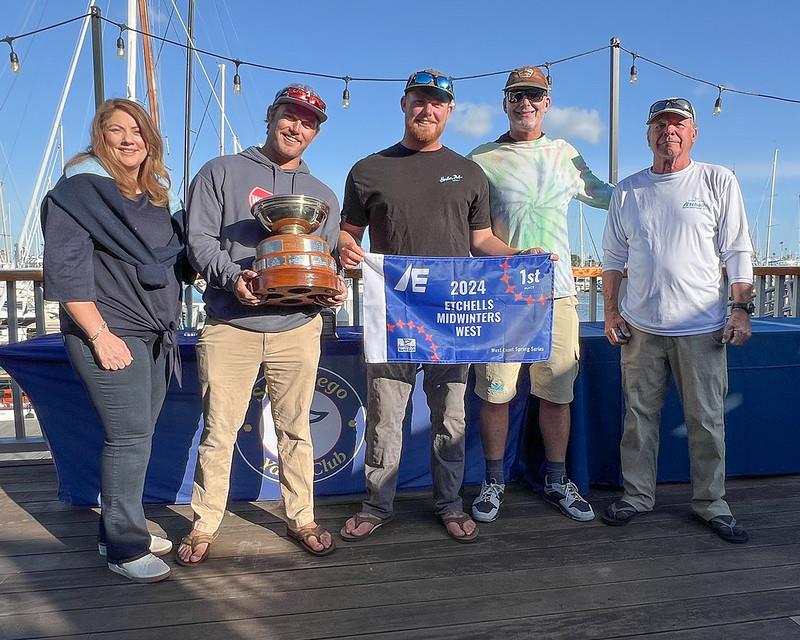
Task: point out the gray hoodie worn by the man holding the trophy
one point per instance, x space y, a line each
222 234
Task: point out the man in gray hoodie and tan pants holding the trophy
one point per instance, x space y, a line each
249 323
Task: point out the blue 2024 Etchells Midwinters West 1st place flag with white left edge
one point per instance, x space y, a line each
449 310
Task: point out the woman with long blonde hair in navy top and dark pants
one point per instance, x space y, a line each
113 258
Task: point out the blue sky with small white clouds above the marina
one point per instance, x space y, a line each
730 43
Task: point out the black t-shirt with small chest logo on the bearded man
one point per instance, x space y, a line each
417 203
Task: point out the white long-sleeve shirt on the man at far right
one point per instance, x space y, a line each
674 231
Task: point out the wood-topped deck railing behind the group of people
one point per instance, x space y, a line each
777 294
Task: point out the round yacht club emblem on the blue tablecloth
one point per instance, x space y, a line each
338 420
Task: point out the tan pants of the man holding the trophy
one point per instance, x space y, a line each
228 362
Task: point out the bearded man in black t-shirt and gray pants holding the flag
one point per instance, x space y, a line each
418 198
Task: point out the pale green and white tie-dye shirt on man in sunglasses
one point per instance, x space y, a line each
531 185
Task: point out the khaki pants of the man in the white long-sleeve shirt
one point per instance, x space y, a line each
699 366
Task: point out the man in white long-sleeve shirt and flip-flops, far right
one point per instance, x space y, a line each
674 225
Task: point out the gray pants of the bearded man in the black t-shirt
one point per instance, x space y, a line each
389 388
